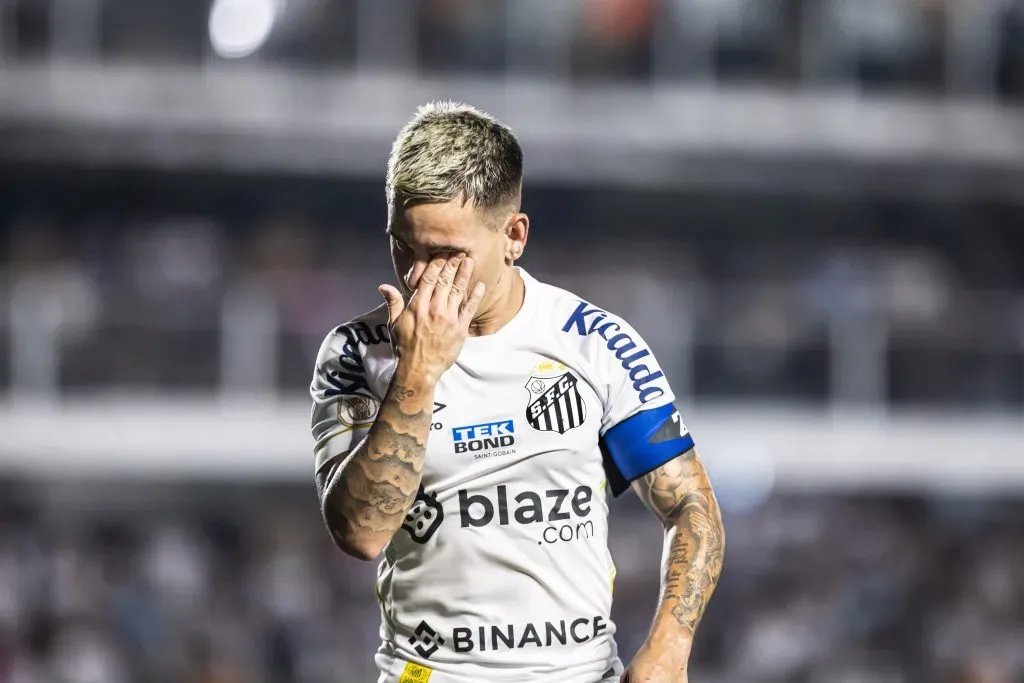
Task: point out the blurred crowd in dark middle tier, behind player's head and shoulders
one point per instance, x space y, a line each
742 296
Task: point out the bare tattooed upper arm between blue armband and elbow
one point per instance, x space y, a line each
678 485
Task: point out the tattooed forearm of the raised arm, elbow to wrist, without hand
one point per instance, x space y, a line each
371 491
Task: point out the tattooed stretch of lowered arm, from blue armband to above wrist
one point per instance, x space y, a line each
681 495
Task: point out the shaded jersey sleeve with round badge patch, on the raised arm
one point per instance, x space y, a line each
345 402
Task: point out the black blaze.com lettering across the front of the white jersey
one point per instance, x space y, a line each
559 516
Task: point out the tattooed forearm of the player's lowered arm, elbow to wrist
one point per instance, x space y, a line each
693 565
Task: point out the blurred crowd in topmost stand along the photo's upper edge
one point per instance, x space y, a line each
919 46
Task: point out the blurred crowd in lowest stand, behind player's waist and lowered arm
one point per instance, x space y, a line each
229 585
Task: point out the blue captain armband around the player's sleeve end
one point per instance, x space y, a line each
642 444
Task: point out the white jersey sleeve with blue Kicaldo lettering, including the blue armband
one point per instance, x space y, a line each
641 428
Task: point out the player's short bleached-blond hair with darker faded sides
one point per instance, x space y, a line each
451 151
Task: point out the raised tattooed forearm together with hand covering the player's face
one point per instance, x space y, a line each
367 495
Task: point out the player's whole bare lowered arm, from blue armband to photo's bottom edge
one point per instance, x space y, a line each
681 495
